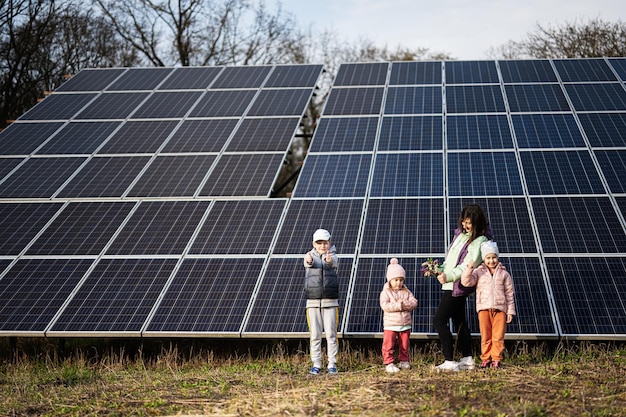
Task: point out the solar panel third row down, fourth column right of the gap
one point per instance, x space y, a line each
547 131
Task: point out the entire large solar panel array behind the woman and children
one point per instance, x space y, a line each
136 202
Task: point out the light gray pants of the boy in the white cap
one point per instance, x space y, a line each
323 319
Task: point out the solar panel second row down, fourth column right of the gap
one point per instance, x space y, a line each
536 98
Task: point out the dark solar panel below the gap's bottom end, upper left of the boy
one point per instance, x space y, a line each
238 227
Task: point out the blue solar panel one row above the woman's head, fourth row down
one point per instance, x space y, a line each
483 173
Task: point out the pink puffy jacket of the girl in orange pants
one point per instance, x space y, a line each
492 291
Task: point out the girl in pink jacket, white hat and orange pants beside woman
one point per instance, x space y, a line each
495 302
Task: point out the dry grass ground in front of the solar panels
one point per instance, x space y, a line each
538 380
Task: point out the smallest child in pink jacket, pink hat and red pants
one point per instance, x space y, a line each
397 302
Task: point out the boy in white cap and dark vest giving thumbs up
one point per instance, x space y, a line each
322 305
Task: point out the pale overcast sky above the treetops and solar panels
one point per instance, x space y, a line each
465 29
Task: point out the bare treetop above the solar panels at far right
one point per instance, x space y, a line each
577 39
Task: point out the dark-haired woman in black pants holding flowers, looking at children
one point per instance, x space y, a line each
471 233
